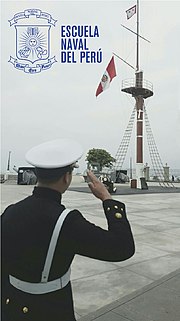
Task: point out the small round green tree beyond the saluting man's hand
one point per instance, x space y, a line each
100 156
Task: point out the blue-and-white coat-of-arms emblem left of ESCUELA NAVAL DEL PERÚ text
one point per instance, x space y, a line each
32 42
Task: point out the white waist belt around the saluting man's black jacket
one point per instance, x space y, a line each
41 288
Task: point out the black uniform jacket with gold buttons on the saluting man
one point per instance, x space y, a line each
27 227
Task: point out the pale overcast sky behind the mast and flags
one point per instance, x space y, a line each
61 102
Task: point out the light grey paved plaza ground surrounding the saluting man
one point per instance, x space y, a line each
118 289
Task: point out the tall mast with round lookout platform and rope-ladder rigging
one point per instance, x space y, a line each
140 89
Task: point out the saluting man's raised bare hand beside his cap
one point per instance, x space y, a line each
98 188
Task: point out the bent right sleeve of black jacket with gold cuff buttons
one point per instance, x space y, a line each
114 244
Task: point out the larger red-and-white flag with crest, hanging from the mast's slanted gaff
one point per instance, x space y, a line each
107 77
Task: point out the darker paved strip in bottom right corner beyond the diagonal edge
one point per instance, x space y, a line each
156 302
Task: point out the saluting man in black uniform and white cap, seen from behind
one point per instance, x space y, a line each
40 238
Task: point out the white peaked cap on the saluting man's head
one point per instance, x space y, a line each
55 154
